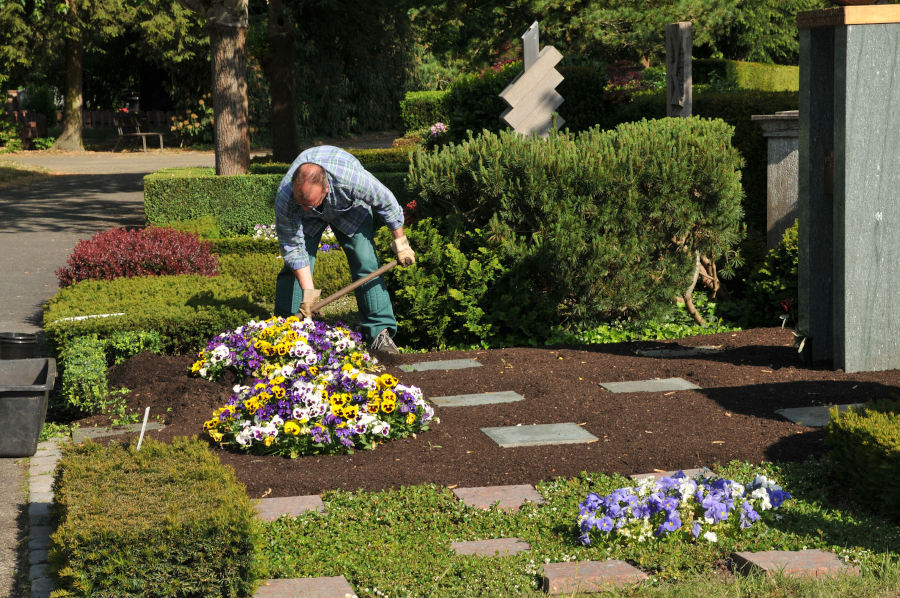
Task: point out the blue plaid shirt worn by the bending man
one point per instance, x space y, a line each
352 194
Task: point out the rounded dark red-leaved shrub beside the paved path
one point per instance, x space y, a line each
121 252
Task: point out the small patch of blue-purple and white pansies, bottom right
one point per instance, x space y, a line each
677 506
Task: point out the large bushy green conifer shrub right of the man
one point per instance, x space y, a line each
603 225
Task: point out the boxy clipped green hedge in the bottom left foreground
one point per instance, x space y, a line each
165 521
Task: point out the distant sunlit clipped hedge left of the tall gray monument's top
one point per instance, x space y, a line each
747 75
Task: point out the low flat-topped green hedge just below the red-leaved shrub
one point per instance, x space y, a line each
185 310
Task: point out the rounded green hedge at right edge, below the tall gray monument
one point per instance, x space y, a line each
865 450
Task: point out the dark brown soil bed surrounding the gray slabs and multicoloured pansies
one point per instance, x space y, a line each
732 417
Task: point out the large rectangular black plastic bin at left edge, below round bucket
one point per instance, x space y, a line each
25 386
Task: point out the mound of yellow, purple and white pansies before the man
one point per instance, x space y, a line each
310 388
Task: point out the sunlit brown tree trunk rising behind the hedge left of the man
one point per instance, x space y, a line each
229 73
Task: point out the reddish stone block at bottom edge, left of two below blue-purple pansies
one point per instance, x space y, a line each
589 576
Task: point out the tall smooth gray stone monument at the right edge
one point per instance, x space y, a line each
849 186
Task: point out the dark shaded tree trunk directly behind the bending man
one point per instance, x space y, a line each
280 66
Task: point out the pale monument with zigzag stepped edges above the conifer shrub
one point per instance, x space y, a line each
532 95
